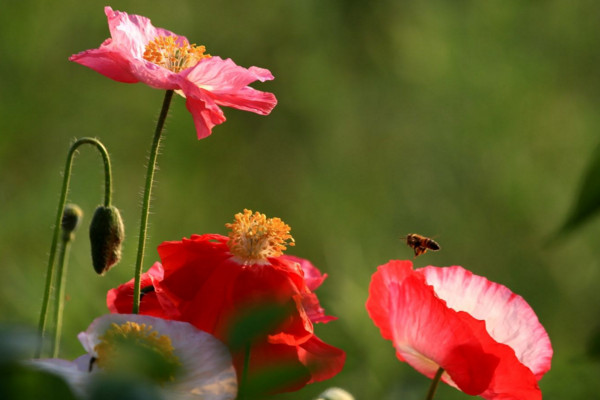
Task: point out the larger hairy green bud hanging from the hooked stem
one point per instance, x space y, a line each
106 234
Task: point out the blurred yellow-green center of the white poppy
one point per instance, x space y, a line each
131 347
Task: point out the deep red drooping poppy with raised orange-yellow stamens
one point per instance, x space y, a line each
213 282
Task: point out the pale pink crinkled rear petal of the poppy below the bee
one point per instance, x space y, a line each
508 317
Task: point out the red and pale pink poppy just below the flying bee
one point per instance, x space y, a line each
487 339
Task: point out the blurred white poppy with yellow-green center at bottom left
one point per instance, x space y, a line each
194 363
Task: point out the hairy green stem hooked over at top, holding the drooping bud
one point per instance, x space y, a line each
59 213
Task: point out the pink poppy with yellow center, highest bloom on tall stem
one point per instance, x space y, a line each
139 52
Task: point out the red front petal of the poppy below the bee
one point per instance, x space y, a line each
428 334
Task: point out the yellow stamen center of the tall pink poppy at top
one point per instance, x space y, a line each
174 53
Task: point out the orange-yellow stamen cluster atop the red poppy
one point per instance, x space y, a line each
254 237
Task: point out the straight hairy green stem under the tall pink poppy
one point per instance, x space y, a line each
146 202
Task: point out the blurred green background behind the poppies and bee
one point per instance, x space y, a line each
471 122
